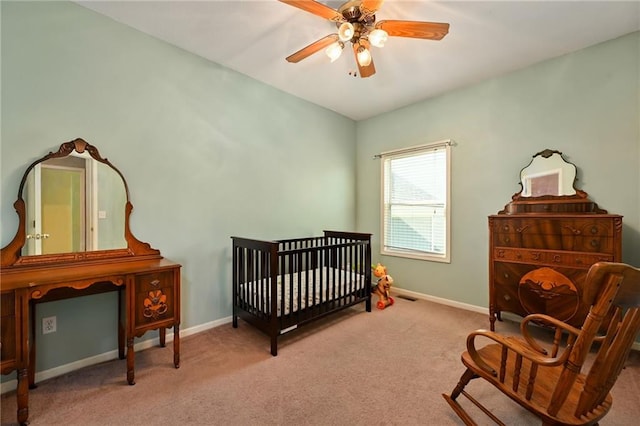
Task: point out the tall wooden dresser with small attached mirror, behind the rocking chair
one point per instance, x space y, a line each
541 247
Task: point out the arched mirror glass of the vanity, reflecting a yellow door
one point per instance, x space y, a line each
73 204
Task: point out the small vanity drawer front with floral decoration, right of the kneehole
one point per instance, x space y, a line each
155 296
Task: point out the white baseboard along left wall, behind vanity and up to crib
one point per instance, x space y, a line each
111 355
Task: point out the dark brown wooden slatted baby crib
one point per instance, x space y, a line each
281 285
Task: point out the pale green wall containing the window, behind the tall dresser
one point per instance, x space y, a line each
585 104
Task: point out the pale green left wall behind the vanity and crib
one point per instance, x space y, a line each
207 153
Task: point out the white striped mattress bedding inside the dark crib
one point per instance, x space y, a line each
337 282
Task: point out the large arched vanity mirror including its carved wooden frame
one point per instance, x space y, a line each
72 205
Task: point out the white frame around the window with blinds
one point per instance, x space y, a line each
416 254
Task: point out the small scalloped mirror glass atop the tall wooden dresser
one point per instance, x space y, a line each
548 174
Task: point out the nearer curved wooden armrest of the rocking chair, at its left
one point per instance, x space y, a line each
518 346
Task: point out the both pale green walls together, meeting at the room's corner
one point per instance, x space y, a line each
203 148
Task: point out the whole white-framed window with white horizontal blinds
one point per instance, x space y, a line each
415 202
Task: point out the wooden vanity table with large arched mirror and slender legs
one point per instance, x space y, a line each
98 256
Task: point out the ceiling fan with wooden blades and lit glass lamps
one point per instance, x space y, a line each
356 23
